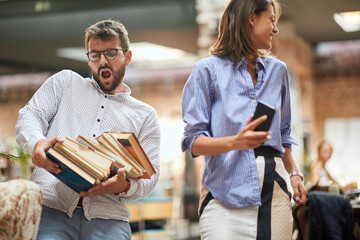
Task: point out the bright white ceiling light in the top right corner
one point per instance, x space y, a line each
348 21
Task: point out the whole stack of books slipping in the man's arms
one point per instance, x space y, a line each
85 162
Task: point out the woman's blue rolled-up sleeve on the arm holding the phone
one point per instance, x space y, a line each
196 105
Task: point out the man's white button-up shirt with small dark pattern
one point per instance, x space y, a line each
68 105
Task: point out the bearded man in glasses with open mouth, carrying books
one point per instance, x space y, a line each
67 105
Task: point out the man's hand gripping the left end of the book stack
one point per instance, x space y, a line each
39 157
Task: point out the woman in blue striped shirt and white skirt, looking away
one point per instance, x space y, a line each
246 176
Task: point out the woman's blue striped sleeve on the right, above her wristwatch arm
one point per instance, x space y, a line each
285 125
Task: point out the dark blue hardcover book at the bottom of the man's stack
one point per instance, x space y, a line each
71 174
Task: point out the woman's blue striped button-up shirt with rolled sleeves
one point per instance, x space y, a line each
218 99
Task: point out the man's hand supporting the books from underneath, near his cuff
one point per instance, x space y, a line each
115 184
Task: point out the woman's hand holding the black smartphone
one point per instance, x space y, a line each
248 138
